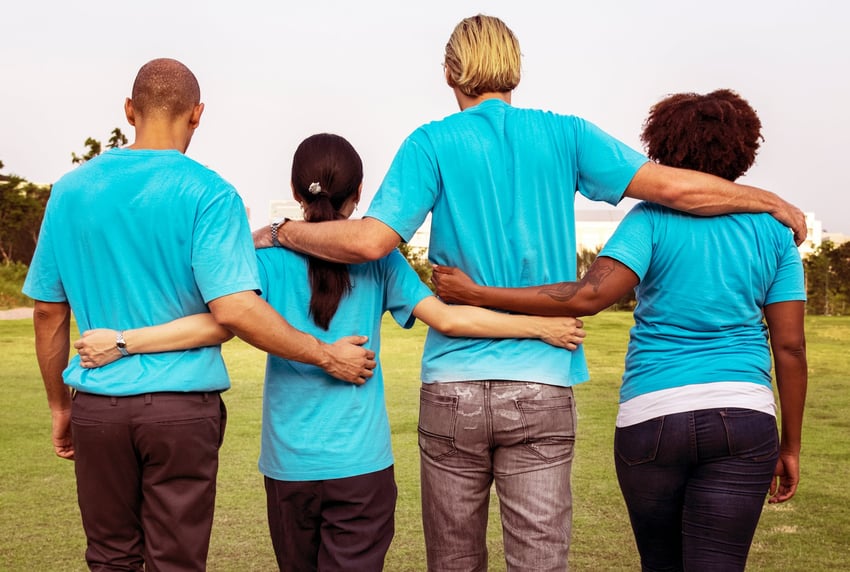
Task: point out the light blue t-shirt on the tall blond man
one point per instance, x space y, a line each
500 183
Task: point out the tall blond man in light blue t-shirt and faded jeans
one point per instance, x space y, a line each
500 184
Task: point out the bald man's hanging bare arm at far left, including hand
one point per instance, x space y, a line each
52 323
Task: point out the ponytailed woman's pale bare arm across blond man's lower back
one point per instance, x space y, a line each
473 322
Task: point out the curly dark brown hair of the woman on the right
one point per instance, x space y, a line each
717 133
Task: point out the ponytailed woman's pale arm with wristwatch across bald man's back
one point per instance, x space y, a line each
97 347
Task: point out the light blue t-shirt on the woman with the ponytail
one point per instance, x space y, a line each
316 427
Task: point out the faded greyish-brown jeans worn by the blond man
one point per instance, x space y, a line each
520 435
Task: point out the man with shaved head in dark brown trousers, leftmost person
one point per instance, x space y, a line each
140 236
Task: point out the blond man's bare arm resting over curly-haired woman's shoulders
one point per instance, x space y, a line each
703 194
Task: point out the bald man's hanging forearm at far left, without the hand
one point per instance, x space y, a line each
52 324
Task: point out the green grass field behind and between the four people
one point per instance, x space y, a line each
39 520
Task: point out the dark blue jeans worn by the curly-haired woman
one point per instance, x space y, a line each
694 484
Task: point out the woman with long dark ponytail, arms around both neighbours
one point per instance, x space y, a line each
325 448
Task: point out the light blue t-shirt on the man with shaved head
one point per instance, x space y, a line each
136 238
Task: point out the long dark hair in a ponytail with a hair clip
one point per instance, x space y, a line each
326 173
